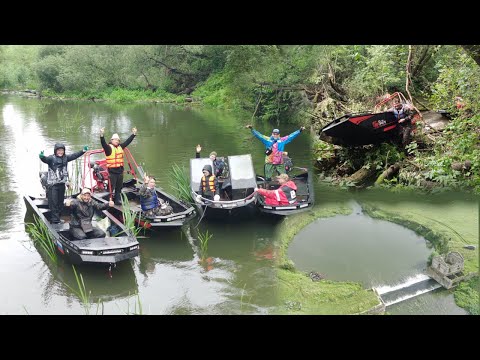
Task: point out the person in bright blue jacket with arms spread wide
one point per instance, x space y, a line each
275 145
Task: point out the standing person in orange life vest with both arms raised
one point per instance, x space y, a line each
114 154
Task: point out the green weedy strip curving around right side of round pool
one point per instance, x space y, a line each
449 223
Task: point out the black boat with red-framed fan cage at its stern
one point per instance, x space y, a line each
95 175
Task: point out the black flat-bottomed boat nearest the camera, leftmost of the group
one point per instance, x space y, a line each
107 250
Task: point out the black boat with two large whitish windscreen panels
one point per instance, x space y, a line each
237 184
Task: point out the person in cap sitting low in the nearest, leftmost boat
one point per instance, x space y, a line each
83 209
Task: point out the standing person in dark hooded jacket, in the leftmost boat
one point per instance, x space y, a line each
57 178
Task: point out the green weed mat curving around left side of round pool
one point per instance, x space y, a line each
298 294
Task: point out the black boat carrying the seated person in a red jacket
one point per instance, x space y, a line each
305 194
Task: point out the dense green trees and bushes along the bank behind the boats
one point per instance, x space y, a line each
297 83
